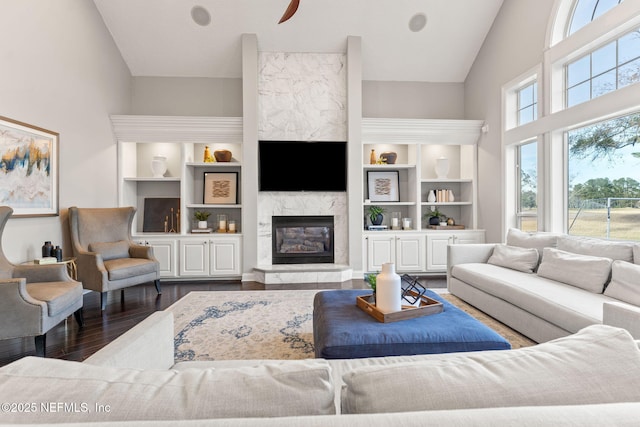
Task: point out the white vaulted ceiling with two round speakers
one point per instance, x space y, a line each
161 38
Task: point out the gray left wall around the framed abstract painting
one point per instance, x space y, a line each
61 71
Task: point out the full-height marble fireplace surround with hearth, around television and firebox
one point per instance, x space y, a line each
302 97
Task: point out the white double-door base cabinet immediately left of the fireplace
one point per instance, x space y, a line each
210 256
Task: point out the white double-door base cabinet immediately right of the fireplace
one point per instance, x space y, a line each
405 250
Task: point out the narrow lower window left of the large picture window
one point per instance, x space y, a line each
527 188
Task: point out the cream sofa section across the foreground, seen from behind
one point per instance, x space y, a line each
587 378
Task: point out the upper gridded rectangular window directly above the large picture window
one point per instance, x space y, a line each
608 68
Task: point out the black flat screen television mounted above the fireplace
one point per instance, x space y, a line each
302 166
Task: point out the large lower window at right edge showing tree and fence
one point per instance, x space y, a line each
603 179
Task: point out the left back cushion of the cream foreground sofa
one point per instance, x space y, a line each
300 387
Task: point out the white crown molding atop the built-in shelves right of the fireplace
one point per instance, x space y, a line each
414 131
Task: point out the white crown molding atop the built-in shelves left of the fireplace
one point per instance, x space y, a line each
132 128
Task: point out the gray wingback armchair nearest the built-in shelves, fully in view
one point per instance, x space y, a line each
107 258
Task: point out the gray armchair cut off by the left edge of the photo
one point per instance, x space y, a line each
35 298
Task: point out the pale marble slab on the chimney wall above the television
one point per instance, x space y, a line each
302 96
